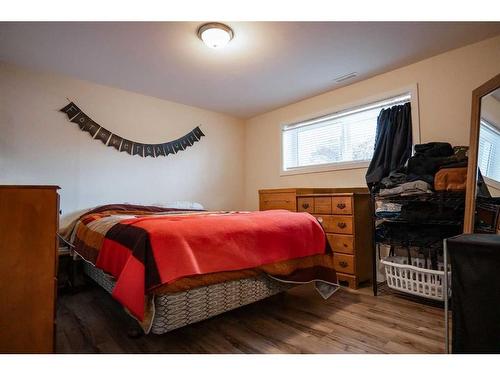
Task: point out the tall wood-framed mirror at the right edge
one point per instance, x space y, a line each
482 205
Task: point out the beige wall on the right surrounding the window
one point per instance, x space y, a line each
445 83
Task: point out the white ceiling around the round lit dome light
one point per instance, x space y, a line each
266 65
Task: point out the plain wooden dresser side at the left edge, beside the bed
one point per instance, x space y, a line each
29 217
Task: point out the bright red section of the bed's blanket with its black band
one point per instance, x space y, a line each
146 252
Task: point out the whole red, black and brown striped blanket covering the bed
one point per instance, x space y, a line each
152 250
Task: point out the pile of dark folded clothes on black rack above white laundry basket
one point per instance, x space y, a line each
423 221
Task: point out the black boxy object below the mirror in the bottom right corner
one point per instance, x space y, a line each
475 285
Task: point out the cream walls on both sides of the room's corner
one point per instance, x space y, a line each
224 171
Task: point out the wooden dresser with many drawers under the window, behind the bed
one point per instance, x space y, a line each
345 215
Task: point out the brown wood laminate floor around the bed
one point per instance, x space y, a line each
298 321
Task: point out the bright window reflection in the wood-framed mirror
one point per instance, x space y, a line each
489 151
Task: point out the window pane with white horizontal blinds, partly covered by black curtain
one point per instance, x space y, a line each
342 139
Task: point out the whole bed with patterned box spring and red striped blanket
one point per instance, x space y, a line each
173 267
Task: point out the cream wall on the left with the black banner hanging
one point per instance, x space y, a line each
38 145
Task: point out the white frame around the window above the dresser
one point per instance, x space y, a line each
412 90
